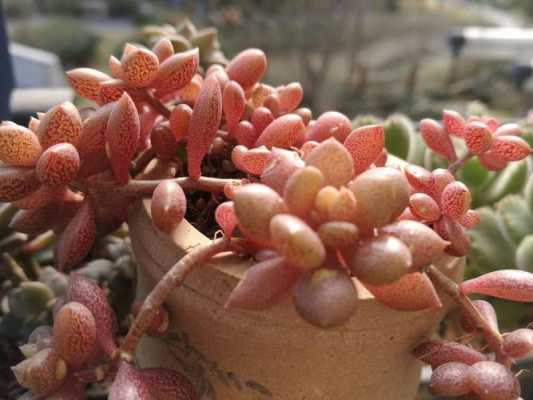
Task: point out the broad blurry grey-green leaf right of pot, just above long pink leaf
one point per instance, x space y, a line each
491 247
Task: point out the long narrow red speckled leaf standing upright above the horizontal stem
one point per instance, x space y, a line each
203 126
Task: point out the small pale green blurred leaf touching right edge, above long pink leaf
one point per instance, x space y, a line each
517 217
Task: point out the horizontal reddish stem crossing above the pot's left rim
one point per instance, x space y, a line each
142 187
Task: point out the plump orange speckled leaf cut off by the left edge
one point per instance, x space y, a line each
19 146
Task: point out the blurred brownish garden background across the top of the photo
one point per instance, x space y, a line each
356 56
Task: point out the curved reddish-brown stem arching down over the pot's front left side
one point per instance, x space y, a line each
164 288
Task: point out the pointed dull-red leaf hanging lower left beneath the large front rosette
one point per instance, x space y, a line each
264 284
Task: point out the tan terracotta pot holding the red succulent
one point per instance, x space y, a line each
239 355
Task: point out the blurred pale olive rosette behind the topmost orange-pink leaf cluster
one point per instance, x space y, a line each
186 36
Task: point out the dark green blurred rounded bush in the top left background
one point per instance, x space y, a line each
75 44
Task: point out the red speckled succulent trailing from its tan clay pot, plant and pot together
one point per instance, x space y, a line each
333 266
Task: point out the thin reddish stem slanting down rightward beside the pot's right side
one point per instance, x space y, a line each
493 338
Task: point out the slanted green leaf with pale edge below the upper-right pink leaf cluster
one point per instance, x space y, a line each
511 180
